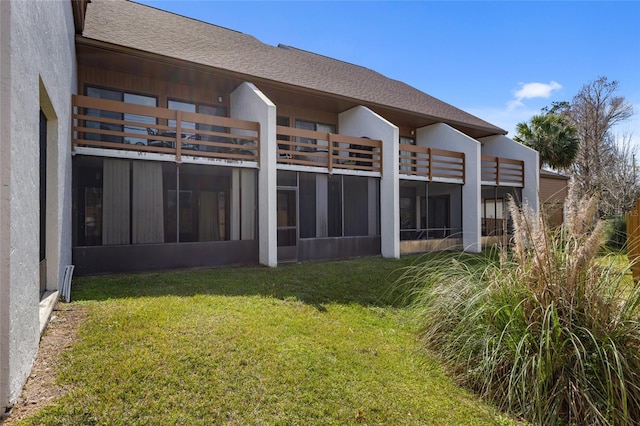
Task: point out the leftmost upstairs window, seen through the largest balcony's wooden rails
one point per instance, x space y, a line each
134 123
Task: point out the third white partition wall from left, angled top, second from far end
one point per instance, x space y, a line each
443 136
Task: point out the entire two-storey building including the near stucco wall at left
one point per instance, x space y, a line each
173 143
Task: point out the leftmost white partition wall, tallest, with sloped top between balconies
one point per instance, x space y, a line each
249 103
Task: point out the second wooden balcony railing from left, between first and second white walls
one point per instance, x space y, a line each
333 151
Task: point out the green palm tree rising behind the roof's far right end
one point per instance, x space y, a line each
552 136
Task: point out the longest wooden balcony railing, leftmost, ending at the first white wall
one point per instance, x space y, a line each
101 123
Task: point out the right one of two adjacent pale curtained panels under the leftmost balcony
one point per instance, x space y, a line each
148 207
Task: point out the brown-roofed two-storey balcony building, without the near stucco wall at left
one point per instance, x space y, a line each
306 157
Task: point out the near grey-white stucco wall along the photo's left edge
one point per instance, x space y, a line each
37 71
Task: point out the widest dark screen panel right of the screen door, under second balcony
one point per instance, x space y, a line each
356 206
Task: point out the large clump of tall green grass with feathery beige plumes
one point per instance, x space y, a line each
547 329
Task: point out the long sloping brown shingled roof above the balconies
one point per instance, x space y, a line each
147 29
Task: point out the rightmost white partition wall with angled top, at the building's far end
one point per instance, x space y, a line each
502 146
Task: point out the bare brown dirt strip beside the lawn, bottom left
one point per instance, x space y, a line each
41 388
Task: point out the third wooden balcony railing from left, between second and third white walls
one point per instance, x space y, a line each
432 163
